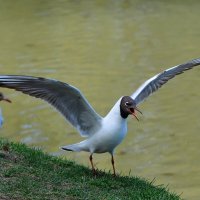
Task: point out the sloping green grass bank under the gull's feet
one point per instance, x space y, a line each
27 173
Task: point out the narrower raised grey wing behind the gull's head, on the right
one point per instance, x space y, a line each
154 83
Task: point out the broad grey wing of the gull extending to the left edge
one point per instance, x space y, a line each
67 99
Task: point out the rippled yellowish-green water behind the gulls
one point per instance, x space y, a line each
107 49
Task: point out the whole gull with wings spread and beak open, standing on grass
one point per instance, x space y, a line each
103 134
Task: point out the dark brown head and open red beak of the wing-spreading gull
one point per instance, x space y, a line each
128 107
